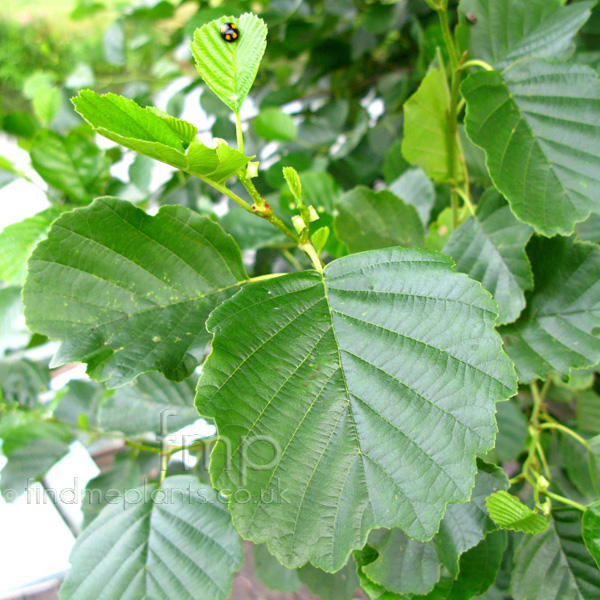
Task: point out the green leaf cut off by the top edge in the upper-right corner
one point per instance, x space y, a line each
508 30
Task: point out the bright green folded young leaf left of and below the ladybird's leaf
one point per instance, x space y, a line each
157 135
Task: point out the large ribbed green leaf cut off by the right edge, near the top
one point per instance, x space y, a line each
537 123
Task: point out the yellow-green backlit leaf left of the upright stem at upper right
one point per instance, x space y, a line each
425 141
